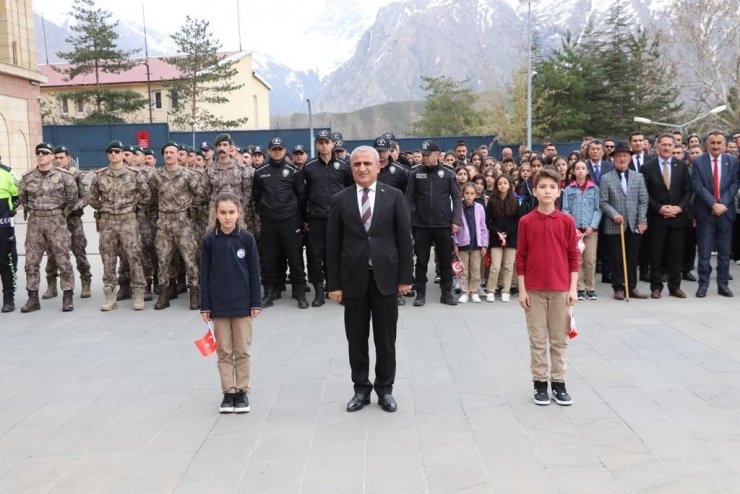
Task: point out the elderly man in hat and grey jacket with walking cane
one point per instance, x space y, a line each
624 201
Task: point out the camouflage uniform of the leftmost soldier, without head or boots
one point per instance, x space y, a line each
48 198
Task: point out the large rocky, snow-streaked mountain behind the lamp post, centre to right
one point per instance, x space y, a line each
480 41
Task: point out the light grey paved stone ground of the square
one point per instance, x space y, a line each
122 403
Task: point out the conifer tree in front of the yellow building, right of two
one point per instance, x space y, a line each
205 77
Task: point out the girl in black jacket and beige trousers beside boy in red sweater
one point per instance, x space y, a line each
502 219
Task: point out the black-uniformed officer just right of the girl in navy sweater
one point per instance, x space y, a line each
278 193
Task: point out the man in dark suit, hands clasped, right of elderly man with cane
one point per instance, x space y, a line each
669 189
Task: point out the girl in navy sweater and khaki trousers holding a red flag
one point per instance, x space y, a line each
230 296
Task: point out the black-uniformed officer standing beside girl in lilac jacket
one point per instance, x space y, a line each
436 207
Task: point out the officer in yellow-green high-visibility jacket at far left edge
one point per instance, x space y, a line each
8 252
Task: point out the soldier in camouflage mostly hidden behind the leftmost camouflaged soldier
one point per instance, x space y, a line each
74 224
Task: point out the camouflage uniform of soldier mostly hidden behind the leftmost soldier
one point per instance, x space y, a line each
77 232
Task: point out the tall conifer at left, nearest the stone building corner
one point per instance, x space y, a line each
94 52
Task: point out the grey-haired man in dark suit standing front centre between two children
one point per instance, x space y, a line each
369 263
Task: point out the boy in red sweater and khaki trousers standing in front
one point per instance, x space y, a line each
547 269
